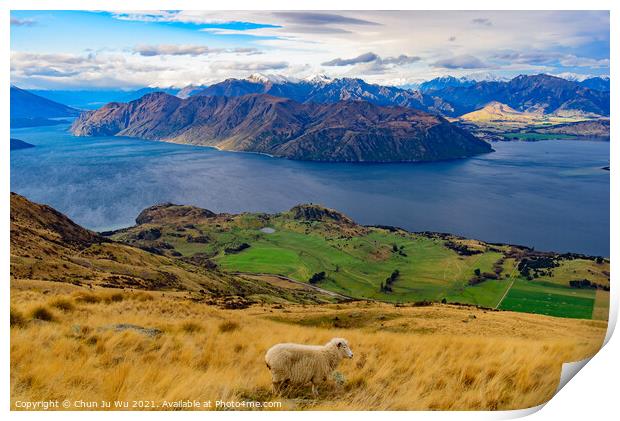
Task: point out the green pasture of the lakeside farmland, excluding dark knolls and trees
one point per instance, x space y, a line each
357 259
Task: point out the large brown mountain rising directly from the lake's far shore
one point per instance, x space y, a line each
343 131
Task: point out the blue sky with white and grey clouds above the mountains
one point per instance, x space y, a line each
80 49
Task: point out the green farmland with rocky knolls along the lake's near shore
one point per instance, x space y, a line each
384 264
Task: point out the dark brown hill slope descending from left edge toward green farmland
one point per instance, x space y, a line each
46 245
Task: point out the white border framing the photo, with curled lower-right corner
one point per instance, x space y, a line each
593 392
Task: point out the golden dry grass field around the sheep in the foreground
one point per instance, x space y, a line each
406 358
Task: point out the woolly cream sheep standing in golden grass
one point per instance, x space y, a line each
302 364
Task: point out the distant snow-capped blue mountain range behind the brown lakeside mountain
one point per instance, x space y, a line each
448 96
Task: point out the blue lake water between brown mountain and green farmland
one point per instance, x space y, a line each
552 195
